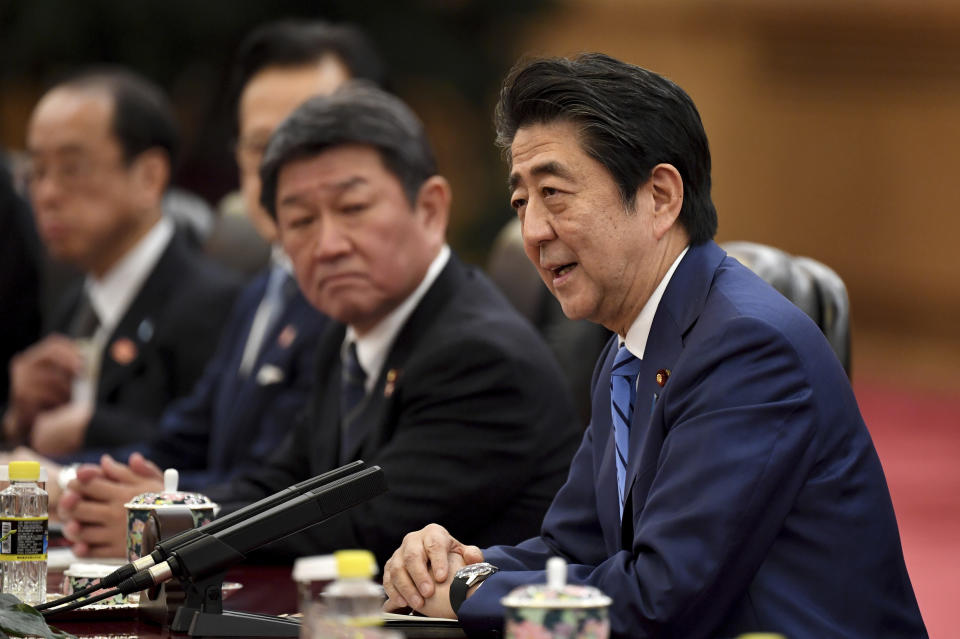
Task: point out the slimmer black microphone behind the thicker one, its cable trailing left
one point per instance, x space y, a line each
166 547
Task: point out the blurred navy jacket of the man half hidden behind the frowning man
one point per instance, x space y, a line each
230 423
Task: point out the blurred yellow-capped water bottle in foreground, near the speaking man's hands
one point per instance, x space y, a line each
354 598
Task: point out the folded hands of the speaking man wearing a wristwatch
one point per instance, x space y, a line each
419 572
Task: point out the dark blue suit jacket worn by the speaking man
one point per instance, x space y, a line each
756 500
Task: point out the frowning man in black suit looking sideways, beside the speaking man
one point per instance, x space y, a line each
427 371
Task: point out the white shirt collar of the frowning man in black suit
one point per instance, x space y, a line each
373 347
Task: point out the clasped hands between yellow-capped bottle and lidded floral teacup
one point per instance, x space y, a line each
92 507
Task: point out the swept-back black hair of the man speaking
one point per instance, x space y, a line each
629 119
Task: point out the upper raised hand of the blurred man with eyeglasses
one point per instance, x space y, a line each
41 378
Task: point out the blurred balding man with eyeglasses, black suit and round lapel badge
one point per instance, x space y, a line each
138 331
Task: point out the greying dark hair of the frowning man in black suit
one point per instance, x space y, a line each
355 114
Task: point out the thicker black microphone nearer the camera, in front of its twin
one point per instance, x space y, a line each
210 554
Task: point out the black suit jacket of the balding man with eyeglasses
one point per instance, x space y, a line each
173 326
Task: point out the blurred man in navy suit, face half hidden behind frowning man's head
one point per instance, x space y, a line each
262 372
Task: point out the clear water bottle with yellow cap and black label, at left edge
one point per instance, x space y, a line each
23 534
